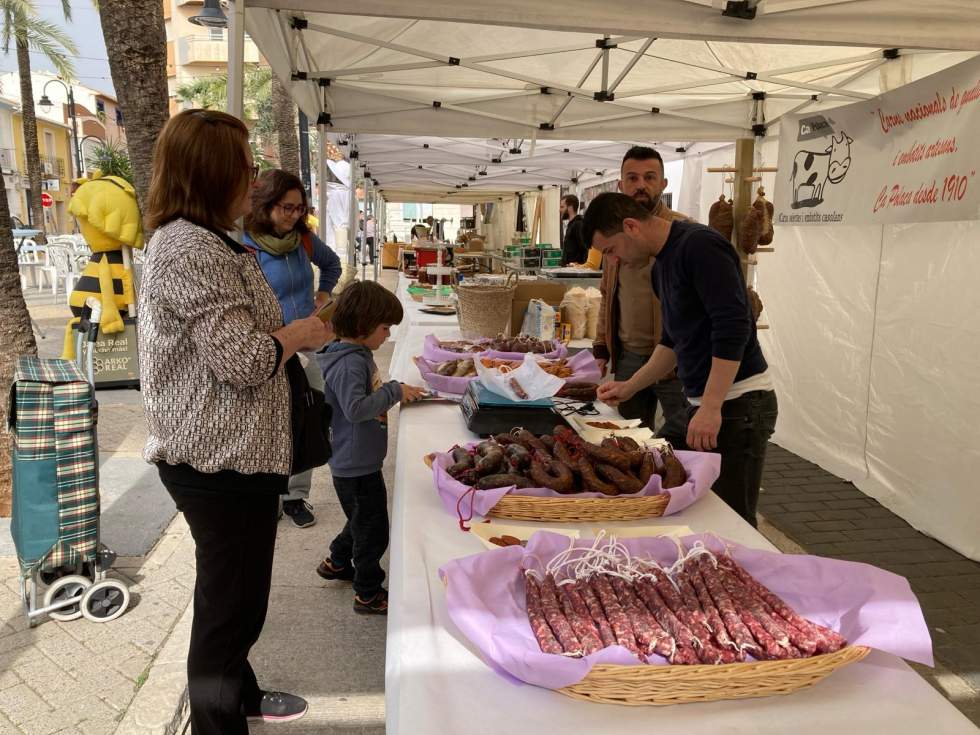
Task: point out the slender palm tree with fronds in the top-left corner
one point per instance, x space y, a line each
29 32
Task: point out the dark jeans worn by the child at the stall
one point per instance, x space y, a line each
364 538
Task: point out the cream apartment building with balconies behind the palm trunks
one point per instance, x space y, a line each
192 51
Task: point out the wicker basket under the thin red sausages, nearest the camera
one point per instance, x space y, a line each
663 685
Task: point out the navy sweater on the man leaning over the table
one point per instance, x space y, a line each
698 279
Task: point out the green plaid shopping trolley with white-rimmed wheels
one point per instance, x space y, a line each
52 414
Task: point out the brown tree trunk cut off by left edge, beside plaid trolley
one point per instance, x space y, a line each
16 336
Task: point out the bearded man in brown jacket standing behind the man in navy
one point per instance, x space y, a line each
629 315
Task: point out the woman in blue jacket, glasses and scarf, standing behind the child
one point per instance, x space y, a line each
277 232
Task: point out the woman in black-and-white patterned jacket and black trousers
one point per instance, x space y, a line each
216 397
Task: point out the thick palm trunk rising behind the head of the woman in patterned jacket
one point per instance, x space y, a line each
137 48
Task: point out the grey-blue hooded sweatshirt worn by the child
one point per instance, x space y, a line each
360 403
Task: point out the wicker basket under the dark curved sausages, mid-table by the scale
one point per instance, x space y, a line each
570 509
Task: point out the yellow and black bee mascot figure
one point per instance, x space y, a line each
109 218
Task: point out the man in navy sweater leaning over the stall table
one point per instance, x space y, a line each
708 334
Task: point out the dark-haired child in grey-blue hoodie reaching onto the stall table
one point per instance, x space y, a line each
359 437
